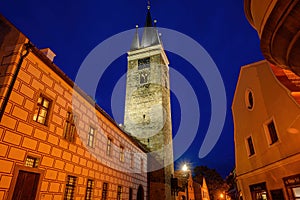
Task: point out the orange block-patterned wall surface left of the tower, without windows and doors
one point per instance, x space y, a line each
21 137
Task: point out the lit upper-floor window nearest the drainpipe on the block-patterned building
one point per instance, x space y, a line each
42 110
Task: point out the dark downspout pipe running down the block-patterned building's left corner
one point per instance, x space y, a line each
26 48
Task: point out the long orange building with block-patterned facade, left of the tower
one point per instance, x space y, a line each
55 142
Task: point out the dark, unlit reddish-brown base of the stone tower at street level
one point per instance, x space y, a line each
159 181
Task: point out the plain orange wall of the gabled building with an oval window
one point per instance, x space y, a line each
271 101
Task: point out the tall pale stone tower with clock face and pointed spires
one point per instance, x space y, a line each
147 106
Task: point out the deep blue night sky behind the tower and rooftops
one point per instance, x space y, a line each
72 29
